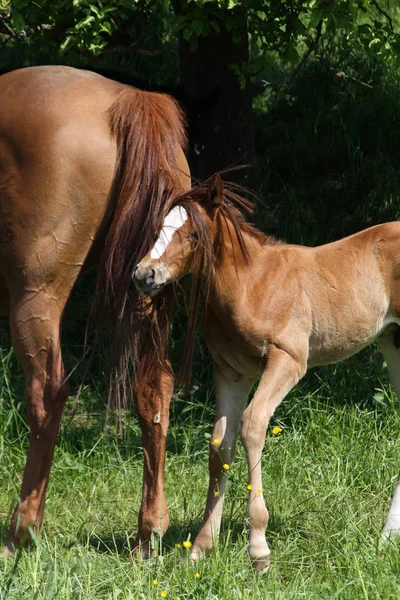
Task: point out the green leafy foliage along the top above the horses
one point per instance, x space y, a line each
290 28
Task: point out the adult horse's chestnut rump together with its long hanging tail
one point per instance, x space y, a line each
86 165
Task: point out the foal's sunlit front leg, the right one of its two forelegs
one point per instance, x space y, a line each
281 374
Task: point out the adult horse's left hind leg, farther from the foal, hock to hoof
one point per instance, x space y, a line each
35 329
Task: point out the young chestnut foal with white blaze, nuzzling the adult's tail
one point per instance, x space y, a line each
273 310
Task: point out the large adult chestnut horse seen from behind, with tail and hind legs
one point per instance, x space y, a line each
86 165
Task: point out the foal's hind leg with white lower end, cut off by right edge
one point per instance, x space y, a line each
389 346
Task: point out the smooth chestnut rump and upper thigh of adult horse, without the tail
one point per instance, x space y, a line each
57 160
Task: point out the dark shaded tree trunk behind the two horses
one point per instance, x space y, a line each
221 126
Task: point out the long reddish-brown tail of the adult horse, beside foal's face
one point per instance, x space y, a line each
149 130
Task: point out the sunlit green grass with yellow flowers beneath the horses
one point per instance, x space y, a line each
328 479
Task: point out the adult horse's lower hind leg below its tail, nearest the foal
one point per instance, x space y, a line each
153 393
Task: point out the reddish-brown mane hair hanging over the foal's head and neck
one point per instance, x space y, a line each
228 212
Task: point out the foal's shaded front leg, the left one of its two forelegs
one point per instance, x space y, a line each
231 396
